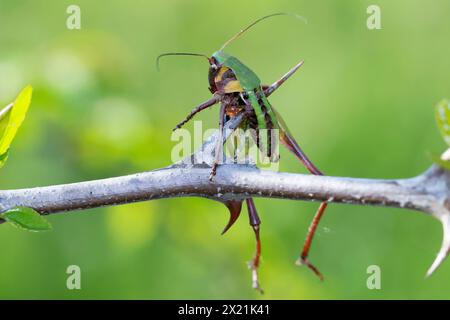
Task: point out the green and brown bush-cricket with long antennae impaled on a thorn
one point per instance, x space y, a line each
239 90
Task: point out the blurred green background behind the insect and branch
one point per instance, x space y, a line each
361 106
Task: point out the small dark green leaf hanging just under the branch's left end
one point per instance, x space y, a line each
26 218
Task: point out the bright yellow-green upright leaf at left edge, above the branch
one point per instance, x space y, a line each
11 118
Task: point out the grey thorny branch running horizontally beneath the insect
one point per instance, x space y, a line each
428 192
